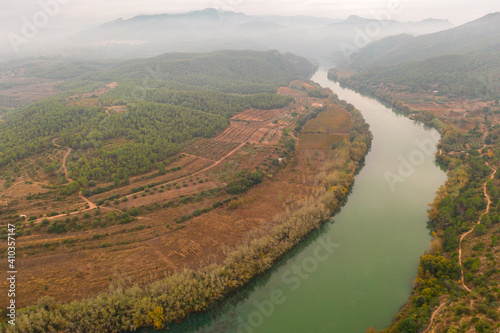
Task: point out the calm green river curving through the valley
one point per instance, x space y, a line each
358 269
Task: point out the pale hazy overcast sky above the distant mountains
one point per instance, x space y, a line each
73 15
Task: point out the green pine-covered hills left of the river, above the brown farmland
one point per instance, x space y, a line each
165 102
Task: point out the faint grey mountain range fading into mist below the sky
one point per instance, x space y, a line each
211 29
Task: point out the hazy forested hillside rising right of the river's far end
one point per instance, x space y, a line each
464 61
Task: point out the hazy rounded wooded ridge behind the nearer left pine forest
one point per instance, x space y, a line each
243 72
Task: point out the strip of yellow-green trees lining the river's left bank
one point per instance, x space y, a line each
175 297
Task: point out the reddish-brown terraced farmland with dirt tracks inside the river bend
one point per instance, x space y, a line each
183 218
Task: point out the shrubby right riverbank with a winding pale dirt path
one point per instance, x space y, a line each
461 208
